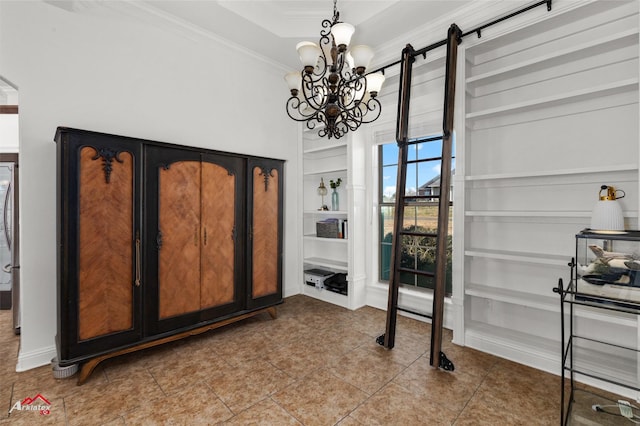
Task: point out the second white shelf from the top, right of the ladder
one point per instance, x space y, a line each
593 92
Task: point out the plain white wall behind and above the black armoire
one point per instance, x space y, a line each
116 75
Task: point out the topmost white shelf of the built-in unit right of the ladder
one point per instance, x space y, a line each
521 67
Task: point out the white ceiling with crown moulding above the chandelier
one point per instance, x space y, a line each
272 28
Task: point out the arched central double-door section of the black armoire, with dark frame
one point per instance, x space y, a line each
195 237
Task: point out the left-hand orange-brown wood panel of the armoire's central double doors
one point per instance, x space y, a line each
179 224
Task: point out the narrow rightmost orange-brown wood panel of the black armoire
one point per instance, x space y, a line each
265 231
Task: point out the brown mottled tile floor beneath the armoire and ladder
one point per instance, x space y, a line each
316 364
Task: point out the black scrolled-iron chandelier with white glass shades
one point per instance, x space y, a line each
332 90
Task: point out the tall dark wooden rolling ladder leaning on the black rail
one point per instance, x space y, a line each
437 357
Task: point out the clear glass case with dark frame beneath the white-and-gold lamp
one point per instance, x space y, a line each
608 264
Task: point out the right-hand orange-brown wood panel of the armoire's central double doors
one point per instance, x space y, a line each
218 254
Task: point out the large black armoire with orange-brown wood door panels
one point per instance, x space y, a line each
158 241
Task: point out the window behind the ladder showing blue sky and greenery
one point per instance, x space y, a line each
420 214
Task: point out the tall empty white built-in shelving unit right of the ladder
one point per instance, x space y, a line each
550 113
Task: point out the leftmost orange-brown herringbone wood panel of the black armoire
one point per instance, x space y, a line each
105 243
